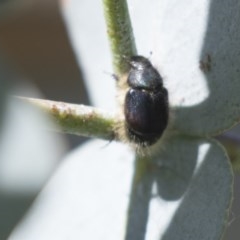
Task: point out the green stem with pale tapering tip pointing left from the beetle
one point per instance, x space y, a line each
77 119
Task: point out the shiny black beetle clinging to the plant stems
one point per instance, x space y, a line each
146 103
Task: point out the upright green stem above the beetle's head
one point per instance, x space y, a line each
120 33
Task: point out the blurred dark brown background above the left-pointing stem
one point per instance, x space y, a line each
34 41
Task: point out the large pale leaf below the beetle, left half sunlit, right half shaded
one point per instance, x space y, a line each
185 195
